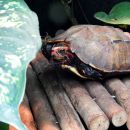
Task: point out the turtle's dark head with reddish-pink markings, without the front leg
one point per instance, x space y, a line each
57 51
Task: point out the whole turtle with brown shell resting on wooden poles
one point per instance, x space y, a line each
90 51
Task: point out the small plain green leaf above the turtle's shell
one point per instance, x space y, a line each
119 14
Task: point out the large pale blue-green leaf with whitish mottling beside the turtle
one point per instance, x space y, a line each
19 42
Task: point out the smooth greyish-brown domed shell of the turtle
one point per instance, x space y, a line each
103 47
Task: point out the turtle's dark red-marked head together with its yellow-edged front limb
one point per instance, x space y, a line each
59 52
